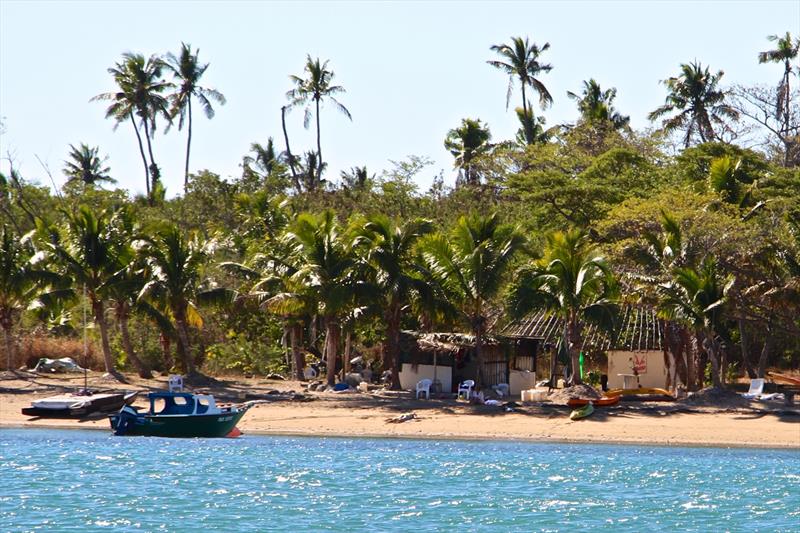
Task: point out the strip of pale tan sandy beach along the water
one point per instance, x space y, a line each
354 414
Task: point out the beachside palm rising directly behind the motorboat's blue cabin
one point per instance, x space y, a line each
174 281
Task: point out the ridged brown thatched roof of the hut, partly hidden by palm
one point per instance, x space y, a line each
640 330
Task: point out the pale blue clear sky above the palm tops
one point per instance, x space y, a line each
412 71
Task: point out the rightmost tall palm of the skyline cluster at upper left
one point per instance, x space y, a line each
187 71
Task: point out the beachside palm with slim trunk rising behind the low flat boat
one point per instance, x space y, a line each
90 255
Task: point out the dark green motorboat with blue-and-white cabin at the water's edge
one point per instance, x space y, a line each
179 414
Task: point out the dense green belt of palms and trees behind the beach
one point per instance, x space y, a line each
699 218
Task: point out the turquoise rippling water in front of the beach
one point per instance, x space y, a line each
57 480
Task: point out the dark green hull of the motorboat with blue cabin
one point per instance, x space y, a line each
177 426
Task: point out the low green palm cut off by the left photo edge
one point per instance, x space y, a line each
22 278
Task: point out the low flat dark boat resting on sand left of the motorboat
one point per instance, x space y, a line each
78 405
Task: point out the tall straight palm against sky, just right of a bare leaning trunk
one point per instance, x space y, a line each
314 88
